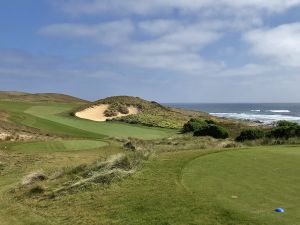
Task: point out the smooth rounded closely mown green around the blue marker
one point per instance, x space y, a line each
252 182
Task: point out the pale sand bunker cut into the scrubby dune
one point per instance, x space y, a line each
96 113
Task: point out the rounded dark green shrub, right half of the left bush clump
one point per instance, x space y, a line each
212 130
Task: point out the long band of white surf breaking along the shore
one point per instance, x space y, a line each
260 117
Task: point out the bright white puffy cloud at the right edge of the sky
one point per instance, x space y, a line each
279 45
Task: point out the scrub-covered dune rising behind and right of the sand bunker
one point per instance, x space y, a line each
156 115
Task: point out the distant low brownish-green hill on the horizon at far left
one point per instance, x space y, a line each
39 97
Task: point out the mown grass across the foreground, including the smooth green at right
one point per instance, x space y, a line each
184 187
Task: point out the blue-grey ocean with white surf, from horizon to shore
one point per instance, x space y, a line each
264 112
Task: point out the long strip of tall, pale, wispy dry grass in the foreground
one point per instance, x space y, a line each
101 172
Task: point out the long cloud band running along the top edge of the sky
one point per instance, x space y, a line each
146 7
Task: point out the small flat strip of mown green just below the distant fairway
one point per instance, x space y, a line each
56 146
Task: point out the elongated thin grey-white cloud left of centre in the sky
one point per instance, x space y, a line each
110 33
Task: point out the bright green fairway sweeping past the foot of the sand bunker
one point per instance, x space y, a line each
54 117
